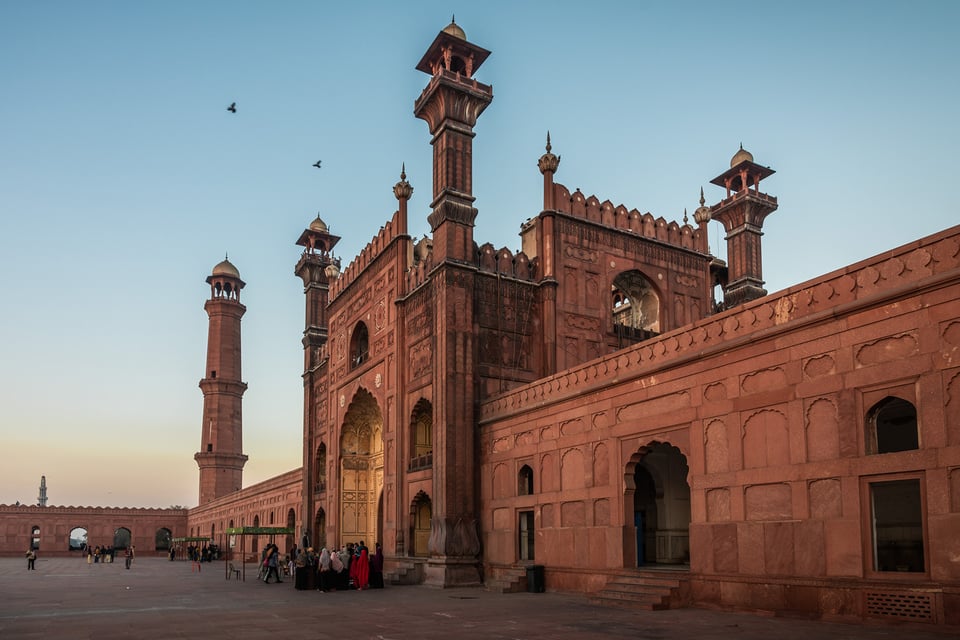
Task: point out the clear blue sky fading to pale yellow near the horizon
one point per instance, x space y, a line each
124 179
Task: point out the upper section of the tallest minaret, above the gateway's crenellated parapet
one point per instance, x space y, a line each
450 104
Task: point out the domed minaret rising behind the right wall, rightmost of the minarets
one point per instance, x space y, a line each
742 213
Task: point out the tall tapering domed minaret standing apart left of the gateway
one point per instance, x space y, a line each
221 456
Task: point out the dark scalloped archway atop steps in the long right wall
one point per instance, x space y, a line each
657 499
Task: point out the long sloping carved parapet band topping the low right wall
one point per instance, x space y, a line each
932 262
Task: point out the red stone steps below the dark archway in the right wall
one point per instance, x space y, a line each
648 590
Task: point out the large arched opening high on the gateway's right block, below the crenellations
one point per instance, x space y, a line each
635 308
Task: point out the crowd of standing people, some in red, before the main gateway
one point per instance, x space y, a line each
350 567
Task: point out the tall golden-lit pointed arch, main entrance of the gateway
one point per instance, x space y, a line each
361 469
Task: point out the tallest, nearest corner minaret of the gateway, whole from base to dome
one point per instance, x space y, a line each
450 104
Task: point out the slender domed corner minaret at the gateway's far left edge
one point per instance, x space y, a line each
317 268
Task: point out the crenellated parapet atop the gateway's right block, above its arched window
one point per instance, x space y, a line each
605 213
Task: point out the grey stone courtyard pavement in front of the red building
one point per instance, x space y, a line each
66 598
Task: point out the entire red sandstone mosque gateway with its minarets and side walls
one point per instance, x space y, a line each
590 405
